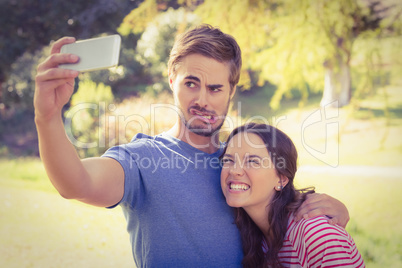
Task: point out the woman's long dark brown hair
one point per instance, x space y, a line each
283 155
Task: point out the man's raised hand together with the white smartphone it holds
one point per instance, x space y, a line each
54 81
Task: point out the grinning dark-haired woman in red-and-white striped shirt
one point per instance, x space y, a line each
259 166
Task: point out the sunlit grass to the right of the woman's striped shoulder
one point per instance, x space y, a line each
374 208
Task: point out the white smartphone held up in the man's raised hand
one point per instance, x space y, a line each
95 54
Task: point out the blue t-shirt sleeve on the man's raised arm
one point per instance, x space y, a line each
132 175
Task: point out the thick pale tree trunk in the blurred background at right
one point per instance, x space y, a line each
337 87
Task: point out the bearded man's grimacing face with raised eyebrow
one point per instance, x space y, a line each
202 93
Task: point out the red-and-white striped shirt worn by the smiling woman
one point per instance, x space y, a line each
316 243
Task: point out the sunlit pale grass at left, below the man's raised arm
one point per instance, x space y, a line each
38 228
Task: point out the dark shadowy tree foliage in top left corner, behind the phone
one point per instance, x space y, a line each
28 26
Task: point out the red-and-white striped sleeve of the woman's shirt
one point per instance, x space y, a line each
329 246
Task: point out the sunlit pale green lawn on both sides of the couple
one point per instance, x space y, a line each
40 229
